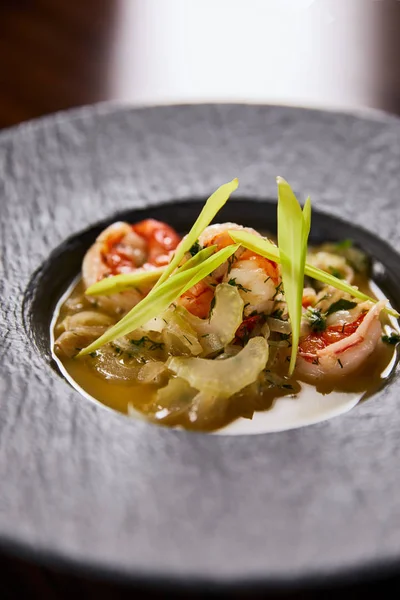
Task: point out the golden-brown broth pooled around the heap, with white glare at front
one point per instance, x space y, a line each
274 410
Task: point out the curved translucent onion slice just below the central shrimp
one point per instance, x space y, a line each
220 329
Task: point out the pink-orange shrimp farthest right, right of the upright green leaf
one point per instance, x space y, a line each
340 349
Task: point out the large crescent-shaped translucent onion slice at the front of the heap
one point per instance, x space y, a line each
223 378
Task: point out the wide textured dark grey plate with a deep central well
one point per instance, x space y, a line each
84 486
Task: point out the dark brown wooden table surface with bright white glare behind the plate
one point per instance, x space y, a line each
58 54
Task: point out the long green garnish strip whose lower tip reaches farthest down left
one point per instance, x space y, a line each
160 299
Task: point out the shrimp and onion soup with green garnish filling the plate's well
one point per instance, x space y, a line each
217 354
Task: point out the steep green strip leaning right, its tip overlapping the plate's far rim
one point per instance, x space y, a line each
213 205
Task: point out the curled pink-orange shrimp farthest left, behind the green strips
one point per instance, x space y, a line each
124 248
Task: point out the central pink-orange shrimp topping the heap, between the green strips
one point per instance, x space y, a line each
257 278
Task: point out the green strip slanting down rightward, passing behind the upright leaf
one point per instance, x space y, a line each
265 248
